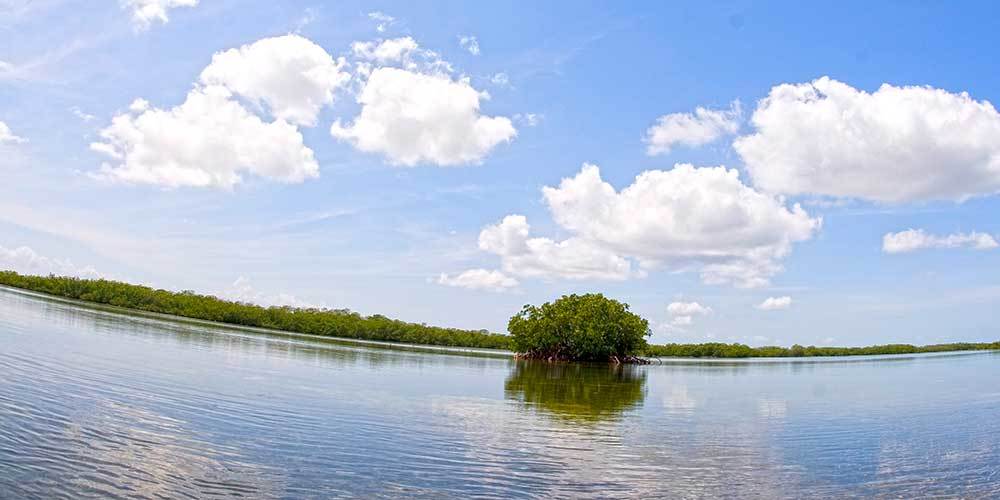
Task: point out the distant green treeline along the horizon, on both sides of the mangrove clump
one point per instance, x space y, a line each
351 325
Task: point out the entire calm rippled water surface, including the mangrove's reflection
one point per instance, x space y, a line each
94 404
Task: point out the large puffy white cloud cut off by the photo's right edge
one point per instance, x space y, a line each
895 145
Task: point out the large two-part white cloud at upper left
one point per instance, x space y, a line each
212 139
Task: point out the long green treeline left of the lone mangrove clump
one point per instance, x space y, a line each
338 323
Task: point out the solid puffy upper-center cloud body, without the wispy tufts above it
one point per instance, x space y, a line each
411 118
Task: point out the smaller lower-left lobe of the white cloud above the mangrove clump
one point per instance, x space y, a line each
574 258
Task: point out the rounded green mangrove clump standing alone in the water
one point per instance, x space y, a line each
587 327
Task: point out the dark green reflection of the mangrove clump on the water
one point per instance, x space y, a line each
577 391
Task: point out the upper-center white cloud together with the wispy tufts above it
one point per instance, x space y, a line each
414 111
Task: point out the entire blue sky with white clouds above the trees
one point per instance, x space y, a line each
736 172
